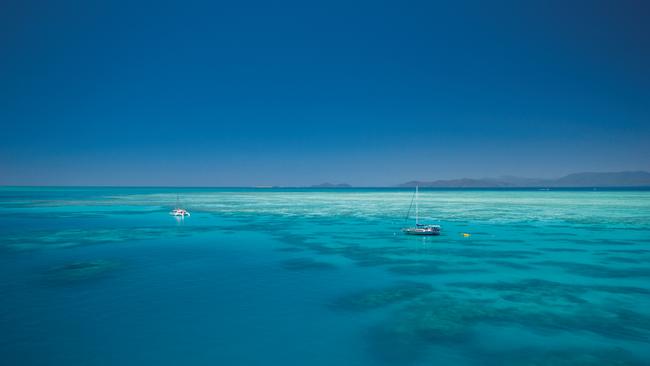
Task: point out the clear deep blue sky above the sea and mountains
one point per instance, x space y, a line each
298 93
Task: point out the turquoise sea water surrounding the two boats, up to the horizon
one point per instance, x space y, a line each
104 276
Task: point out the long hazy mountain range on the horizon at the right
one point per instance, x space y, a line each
616 179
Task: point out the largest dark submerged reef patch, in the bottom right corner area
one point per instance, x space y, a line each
435 320
